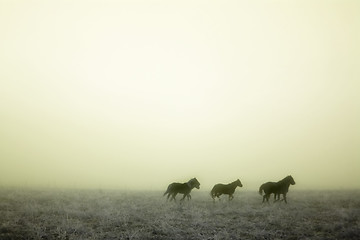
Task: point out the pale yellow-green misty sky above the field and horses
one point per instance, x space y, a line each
139 94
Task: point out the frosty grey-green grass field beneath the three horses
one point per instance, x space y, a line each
85 214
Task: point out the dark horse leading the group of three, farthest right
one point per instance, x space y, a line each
280 187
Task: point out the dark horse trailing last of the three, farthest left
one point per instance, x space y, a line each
184 188
